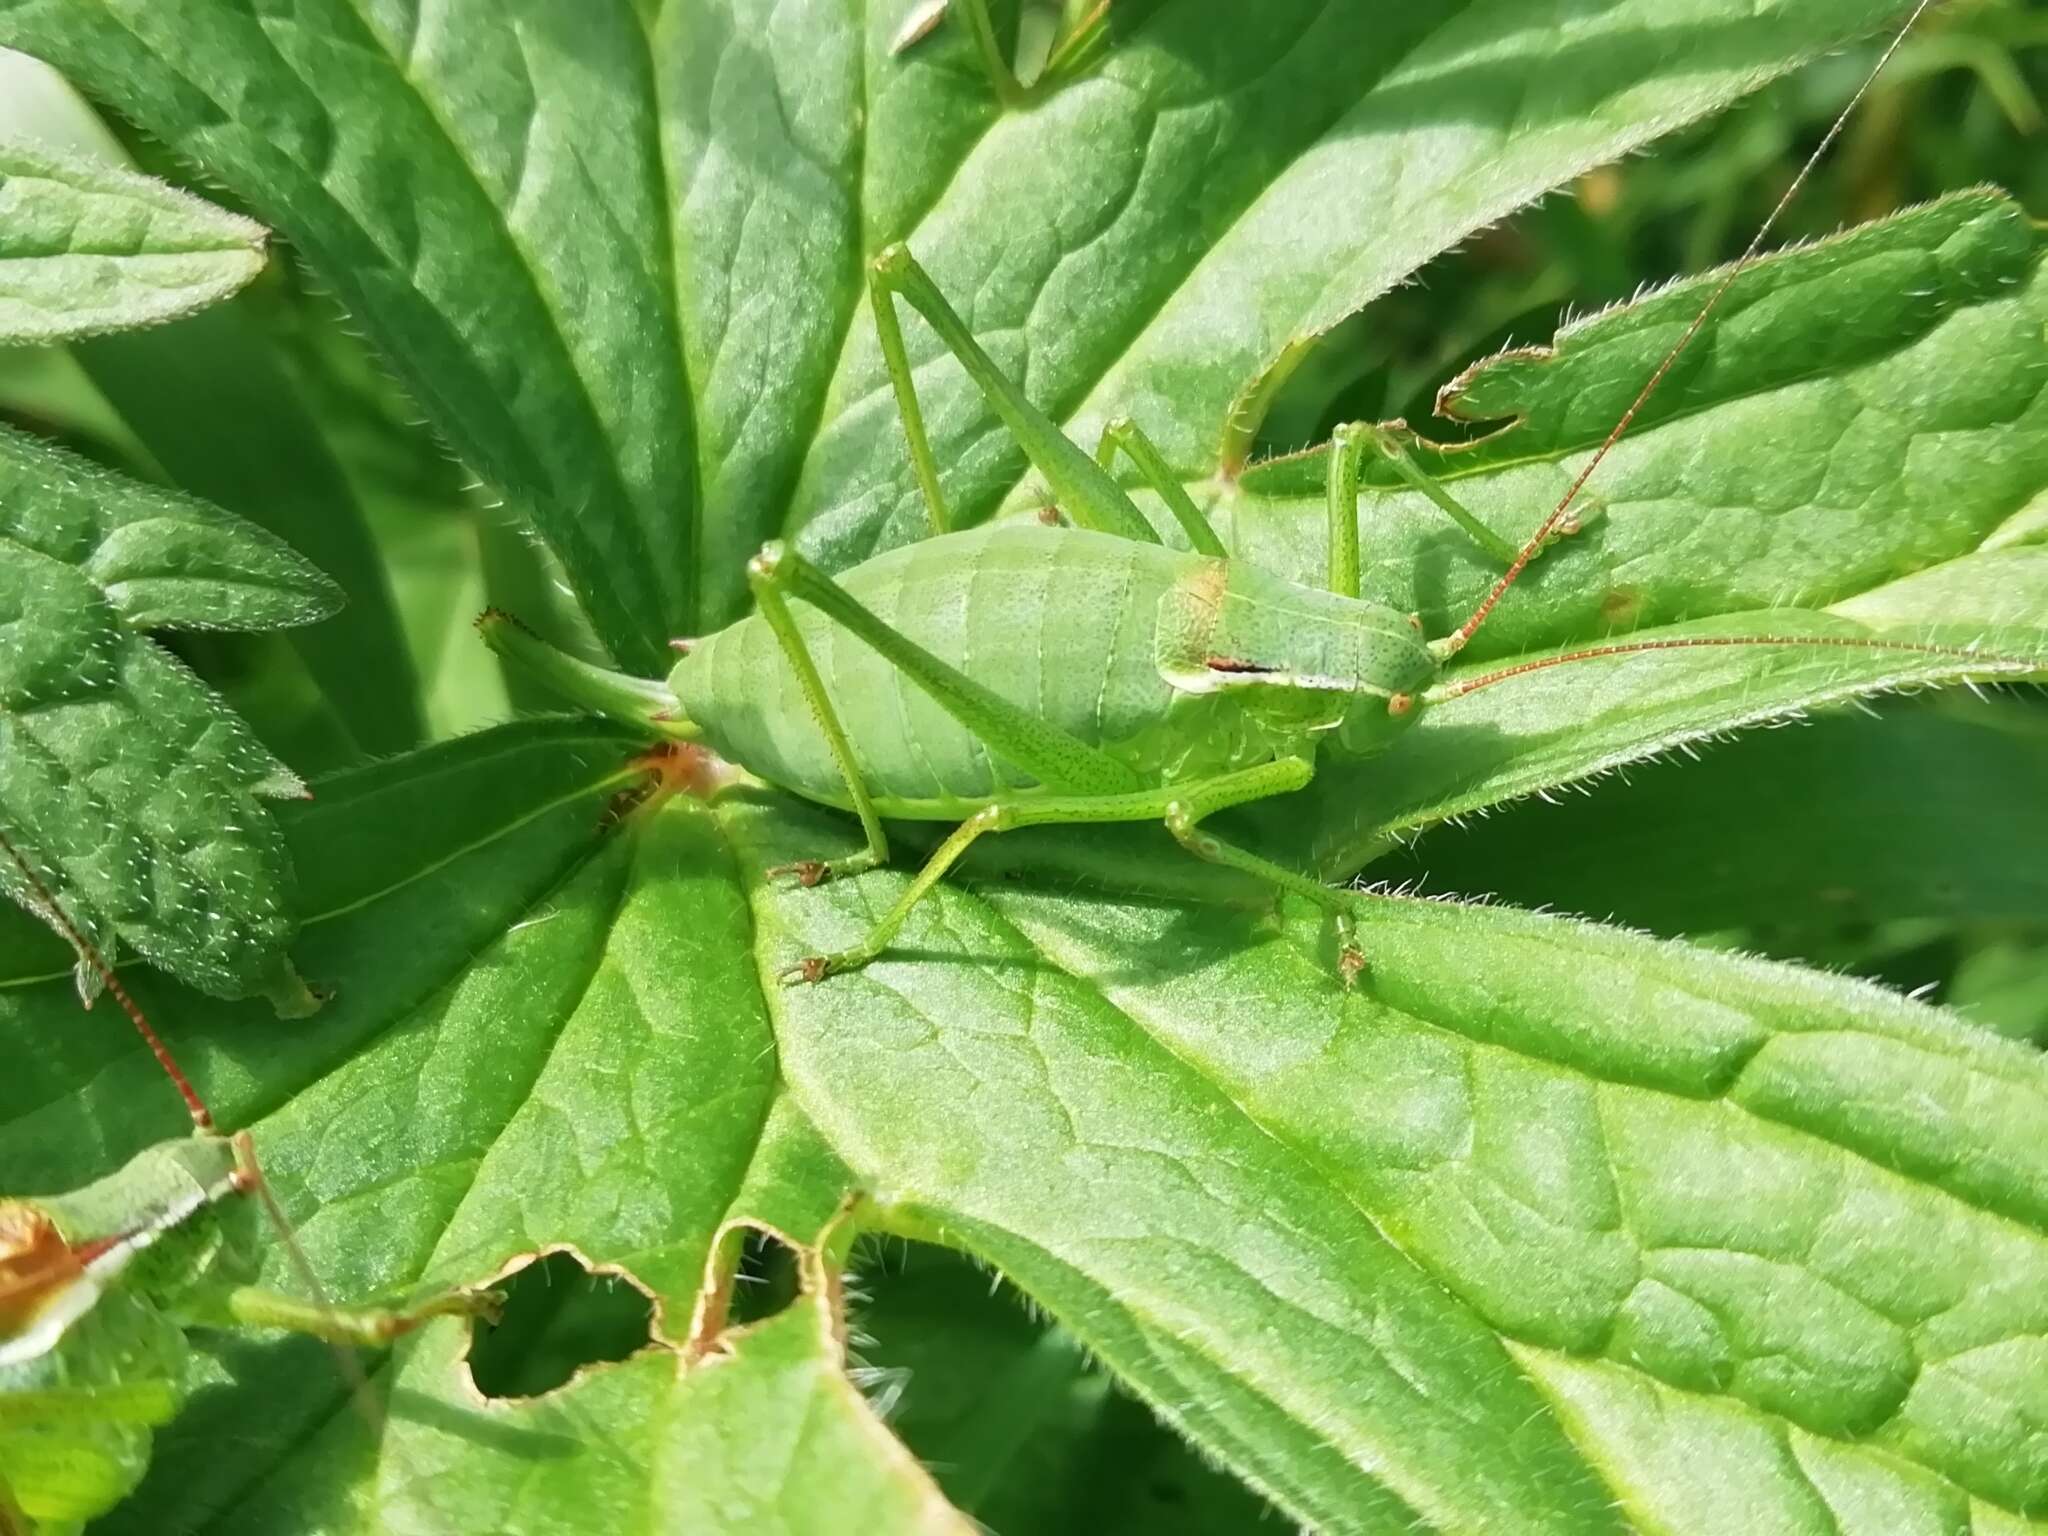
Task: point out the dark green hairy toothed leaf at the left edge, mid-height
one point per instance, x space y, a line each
124 781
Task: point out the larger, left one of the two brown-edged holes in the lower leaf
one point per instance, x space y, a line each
560 1318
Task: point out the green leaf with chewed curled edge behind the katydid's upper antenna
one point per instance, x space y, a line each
1859 411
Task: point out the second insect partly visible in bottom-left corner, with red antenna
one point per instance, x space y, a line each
99 1285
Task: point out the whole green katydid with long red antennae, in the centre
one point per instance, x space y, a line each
1089 673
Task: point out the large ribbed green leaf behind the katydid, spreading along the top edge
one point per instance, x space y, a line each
603 325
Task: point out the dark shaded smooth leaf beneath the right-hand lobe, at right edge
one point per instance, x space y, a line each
1775 833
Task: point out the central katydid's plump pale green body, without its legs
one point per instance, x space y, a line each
1058 622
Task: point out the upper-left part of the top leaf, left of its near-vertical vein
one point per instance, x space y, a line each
497 212
